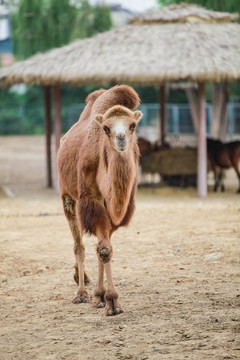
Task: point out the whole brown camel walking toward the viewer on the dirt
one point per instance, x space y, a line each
97 167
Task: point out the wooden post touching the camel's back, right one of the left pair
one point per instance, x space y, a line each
57 127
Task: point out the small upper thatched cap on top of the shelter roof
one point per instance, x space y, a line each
184 13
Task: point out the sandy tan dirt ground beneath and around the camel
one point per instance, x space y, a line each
176 269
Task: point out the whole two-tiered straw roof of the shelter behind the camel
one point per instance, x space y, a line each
145 52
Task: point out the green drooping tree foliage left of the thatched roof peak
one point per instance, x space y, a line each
39 25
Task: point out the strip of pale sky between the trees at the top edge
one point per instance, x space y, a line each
136 5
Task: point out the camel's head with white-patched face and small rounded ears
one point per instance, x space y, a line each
119 124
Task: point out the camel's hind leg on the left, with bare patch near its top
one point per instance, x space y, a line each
79 250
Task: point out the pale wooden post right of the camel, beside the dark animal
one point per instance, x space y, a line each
202 143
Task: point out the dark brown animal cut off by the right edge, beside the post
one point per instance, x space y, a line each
223 156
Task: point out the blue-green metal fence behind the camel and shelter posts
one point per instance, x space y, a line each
30 119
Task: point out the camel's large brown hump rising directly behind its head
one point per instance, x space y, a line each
118 95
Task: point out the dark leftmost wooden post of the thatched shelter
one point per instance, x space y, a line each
48 131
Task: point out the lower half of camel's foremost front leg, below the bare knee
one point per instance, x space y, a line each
113 307
